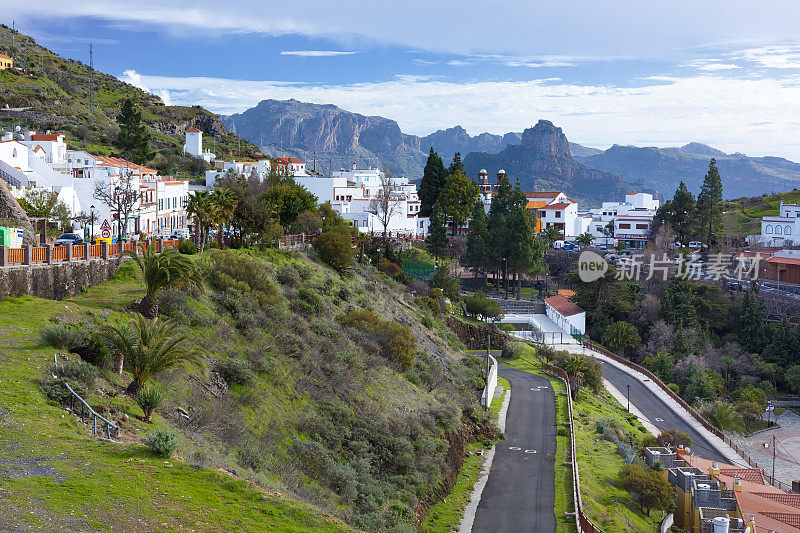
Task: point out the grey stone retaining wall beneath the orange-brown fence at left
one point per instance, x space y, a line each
55 281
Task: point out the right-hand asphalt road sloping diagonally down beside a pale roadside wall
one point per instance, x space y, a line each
658 413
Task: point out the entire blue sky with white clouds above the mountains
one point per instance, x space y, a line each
726 73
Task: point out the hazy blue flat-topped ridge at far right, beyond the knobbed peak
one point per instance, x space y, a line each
664 168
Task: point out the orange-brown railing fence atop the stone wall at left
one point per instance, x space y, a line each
32 255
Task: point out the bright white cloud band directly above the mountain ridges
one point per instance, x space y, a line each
719 110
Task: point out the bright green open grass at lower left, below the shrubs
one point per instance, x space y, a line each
102 485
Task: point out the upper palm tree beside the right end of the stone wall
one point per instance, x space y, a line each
167 269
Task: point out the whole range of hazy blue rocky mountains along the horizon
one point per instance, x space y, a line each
335 138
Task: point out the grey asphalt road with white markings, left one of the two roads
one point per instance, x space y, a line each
519 496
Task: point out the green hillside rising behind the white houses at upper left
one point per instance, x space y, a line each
53 93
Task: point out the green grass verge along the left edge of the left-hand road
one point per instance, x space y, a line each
446 515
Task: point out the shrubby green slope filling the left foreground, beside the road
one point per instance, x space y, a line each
299 420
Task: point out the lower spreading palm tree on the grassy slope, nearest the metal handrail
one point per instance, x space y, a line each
147 348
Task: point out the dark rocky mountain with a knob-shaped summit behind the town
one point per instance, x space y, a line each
543 161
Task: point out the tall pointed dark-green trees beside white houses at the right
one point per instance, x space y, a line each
690 217
